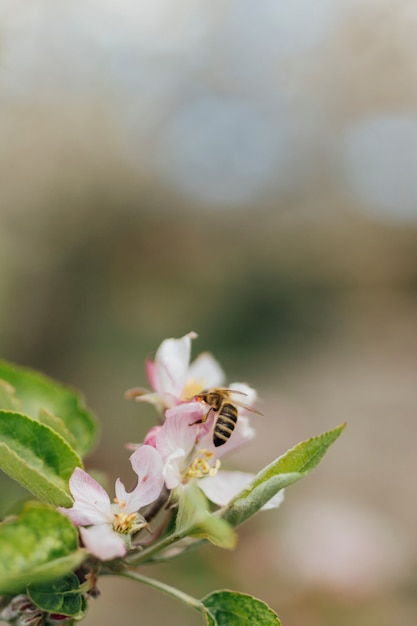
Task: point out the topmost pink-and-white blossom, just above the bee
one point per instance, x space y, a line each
172 377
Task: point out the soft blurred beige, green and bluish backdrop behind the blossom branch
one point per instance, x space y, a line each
246 170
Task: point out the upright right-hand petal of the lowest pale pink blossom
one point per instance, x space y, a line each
148 465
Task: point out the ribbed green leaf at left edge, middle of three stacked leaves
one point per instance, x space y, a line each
37 457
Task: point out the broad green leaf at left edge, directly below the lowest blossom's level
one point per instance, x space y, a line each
39 545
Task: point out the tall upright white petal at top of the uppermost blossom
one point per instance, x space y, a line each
171 365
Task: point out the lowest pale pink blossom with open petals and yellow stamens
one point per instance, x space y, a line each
110 525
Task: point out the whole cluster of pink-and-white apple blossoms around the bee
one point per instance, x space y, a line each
179 450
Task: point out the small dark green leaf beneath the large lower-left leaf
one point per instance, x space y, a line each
61 596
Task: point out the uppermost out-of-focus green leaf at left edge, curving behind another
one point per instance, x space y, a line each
36 391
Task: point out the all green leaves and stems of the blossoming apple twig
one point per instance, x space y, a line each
44 432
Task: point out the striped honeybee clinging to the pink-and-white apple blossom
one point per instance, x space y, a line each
222 403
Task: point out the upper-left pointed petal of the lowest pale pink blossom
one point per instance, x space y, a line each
91 502
